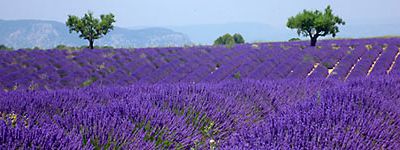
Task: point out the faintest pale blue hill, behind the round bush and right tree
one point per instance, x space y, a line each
255 32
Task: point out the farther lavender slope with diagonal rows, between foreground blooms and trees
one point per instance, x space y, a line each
339 59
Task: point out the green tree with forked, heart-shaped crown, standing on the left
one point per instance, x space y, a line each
89 27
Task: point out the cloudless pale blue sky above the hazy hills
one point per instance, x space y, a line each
130 13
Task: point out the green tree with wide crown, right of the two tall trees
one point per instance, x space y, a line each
315 24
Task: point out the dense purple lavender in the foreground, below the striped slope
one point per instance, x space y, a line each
287 114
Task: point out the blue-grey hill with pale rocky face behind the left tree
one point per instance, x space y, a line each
48 34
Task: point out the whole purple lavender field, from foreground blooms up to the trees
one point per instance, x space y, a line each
341 94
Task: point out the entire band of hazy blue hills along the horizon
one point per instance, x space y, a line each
48 34
